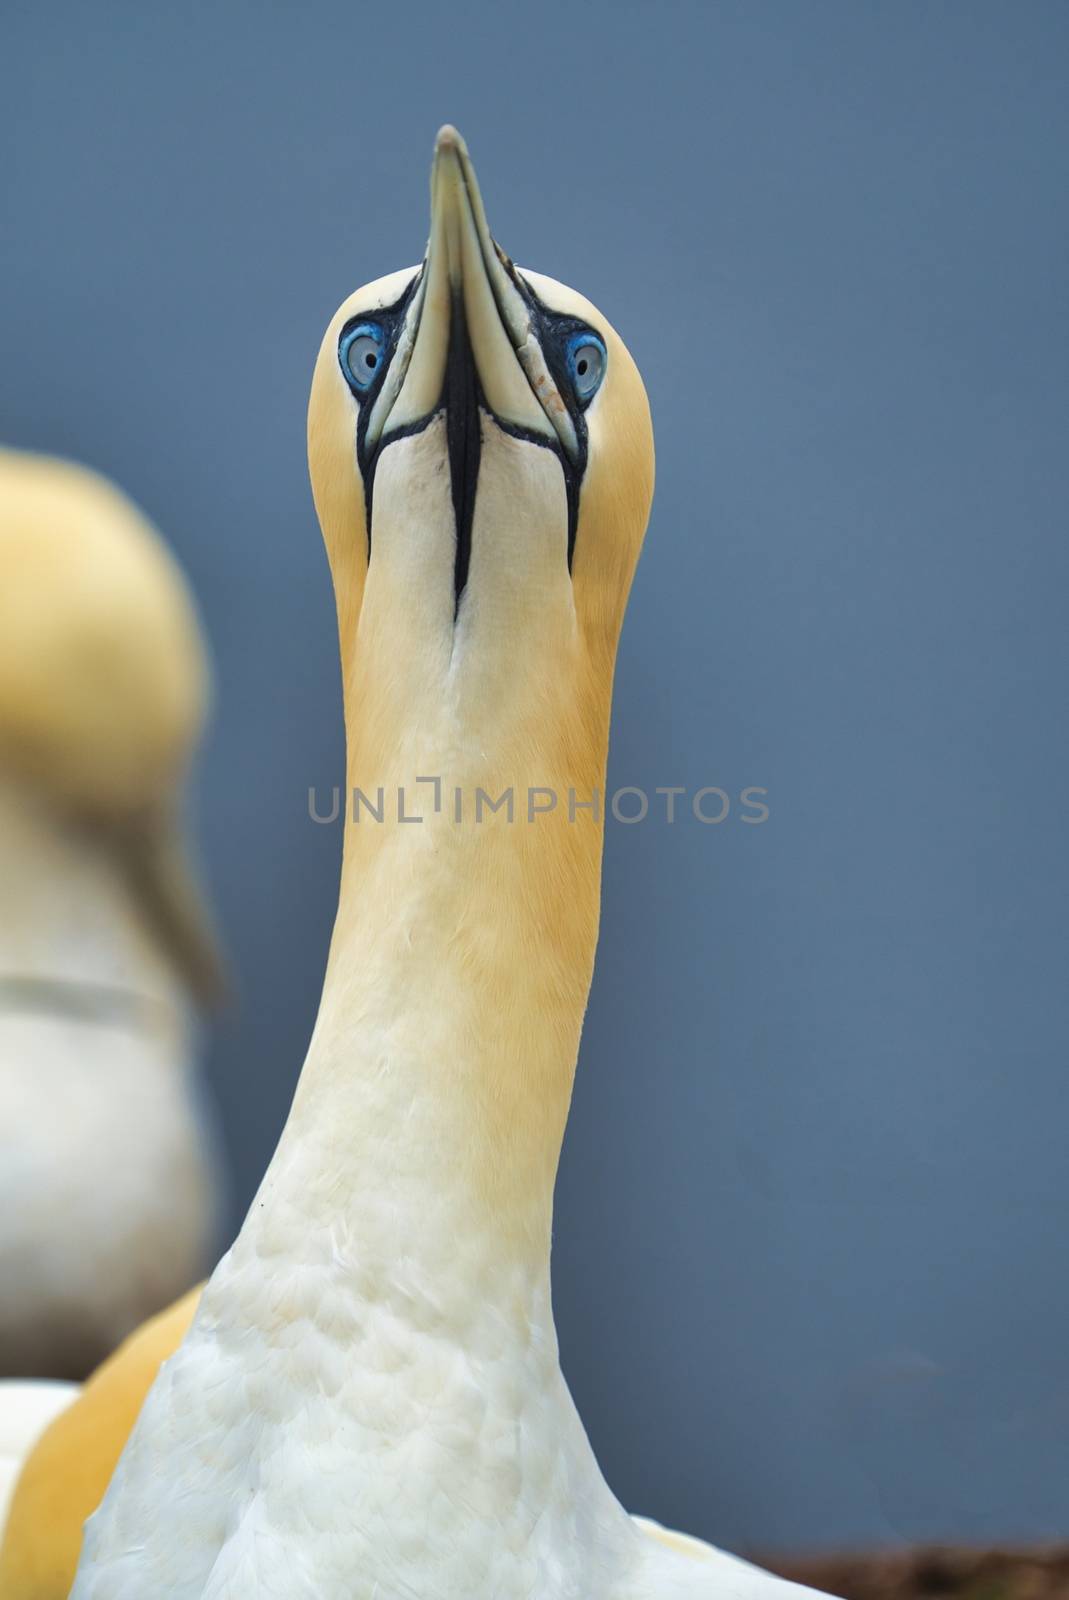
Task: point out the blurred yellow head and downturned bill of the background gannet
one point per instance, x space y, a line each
105 686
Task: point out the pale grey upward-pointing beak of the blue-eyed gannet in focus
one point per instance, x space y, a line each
468 278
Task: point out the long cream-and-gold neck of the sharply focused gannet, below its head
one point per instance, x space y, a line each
438 1084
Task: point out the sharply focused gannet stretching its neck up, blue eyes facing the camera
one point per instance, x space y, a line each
369 1404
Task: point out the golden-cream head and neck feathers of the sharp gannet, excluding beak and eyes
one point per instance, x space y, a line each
442 1063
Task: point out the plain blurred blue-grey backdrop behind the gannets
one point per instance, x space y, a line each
811 1244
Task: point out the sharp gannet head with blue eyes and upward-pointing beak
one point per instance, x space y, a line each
482 466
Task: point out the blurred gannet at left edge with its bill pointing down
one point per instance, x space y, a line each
108 1191
